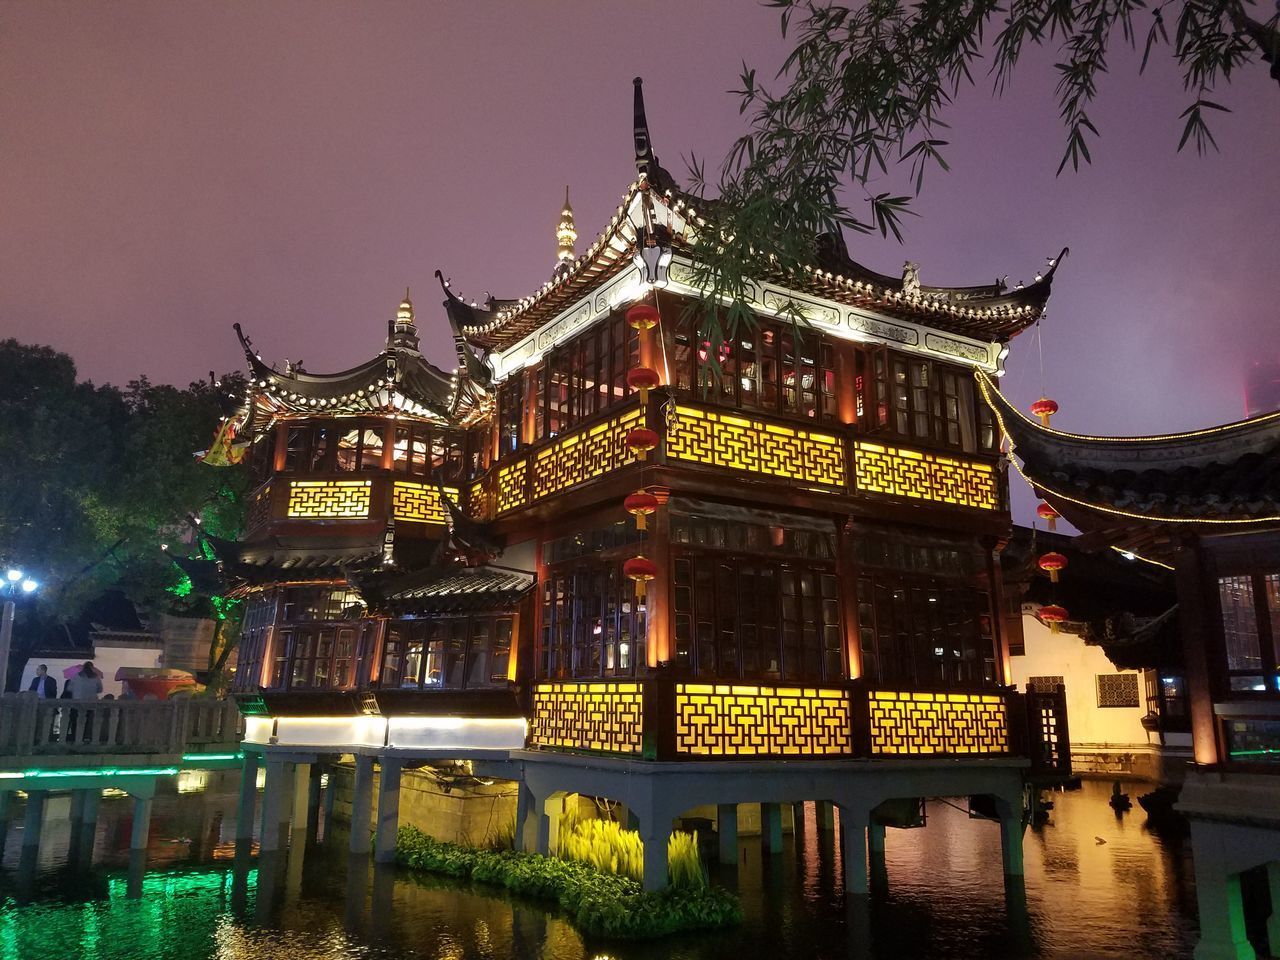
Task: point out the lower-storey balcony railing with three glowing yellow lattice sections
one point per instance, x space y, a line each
668 720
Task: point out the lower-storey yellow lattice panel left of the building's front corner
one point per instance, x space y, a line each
606 717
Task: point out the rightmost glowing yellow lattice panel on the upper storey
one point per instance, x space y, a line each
925 477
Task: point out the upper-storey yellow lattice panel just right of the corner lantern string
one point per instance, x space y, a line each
756 446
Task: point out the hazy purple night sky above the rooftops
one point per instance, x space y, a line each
173 168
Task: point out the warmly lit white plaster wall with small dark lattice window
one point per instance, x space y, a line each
1068 656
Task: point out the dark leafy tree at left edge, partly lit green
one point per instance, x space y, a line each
94 479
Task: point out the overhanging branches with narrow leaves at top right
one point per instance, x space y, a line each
865 90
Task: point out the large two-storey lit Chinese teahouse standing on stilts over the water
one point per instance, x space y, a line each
611 556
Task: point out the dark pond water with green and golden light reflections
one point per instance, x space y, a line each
1131 897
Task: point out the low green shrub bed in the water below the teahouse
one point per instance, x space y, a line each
600 904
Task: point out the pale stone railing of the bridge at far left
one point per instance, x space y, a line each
31 728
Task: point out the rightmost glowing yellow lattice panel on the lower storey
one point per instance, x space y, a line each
912 724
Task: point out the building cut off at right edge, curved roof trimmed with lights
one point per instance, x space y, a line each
1208 505
